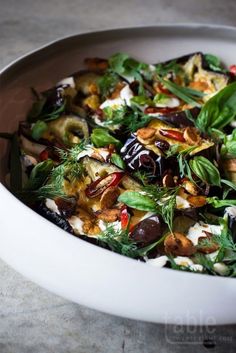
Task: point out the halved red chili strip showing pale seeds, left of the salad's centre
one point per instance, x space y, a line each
100 185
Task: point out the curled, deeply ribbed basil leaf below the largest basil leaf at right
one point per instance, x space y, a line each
205 170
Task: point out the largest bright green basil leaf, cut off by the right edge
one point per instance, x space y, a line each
219 110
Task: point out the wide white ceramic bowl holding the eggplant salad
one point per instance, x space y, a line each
71 267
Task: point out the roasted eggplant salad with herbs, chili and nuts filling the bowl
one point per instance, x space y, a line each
136 158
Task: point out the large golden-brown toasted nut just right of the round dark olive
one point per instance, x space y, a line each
178 245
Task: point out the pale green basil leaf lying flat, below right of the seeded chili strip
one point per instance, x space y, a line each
138 201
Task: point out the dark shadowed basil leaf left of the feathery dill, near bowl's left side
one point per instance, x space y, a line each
39 174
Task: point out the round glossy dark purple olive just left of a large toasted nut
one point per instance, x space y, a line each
147 231
